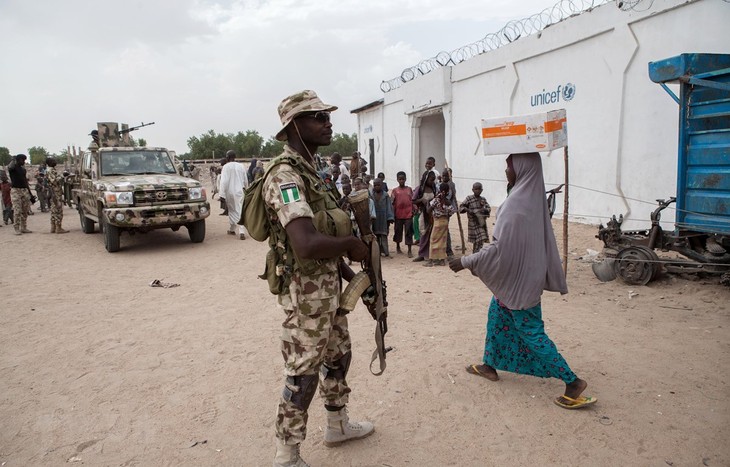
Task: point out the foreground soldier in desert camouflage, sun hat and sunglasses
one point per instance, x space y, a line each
315 342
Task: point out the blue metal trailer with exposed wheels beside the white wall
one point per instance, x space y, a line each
702 226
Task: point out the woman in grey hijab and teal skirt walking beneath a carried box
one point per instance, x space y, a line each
517 266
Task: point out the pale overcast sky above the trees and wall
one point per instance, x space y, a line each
198 65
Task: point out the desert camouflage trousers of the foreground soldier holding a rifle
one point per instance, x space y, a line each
313 337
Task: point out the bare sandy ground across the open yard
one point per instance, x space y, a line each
98 368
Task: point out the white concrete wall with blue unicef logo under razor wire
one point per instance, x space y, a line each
622 128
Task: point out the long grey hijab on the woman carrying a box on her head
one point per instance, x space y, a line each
522 259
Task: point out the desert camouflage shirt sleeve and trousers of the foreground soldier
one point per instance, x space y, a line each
314 337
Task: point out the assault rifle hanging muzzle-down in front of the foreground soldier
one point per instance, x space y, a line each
368 284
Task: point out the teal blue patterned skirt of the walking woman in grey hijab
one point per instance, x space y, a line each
516 342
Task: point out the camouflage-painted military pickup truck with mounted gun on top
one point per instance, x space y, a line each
132 189
